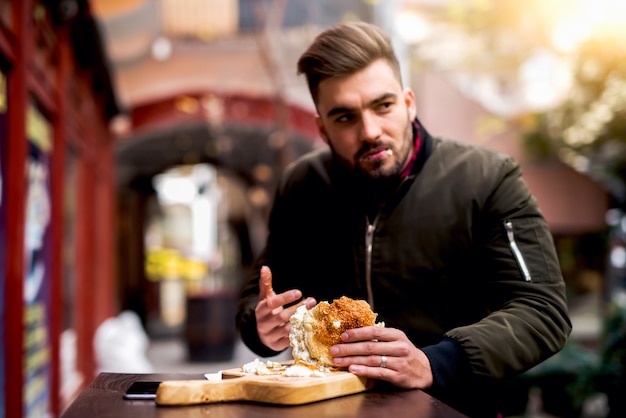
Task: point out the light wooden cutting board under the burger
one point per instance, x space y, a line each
274 388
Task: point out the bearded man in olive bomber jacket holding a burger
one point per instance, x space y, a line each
442 238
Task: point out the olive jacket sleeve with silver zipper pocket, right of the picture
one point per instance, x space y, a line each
528 320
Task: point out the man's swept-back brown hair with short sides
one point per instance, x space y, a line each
344 49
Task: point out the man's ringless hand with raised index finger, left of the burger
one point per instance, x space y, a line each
272 317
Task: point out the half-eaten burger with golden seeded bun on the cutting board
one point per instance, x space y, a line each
315 330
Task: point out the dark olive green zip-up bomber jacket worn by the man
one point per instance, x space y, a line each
458 251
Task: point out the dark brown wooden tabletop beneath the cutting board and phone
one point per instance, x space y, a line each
103 399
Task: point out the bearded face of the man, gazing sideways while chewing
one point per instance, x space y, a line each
366 119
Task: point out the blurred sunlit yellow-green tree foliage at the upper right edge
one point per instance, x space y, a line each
590 125
